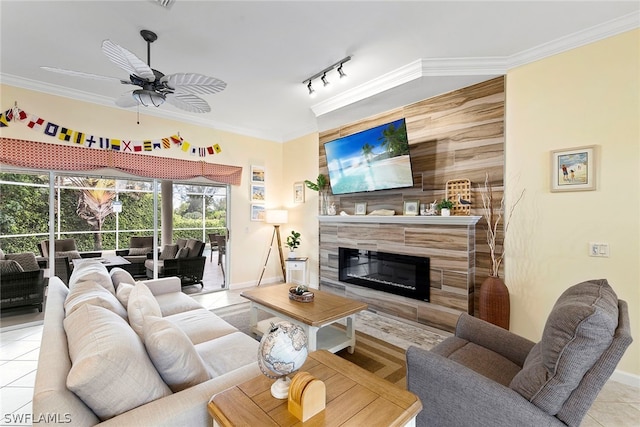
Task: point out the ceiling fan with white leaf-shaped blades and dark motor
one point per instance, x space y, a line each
155 88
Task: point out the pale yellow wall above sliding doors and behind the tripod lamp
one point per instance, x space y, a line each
249 240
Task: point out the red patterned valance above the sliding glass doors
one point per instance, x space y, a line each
41 155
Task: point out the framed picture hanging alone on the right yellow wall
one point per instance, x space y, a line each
573 169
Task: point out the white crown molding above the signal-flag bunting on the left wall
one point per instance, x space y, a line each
179 116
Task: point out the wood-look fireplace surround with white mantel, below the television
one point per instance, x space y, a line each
449 242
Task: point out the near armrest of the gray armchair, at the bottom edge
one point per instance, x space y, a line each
453 394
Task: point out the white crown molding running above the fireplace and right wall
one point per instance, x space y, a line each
475 66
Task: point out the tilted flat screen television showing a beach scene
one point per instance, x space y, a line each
374 159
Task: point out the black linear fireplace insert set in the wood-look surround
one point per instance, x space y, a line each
398 274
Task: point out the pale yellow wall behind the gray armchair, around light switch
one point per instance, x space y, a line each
587 96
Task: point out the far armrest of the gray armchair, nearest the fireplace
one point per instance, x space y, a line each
494 338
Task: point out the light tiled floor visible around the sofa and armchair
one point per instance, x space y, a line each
618 405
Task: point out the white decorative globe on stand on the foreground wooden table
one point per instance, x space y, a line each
282 350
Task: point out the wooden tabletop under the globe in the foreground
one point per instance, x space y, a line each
354 396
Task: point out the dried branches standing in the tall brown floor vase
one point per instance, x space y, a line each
494 217
